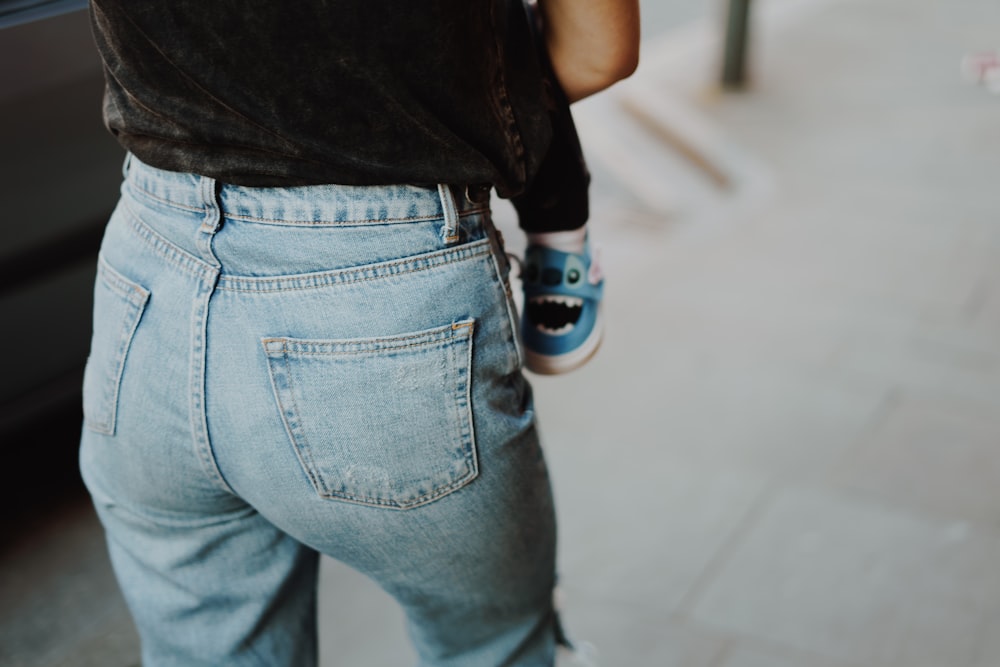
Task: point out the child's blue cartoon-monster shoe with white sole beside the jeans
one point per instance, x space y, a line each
561 325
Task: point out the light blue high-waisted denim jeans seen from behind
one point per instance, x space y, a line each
280 373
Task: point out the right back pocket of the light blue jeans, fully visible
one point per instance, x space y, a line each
379 421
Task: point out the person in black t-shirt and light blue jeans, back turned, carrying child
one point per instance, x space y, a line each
304 338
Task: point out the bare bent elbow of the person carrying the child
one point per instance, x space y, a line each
592 43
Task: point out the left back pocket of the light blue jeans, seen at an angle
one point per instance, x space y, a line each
118 306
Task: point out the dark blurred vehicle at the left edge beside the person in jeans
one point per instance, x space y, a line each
59 177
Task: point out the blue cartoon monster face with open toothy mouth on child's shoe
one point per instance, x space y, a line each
555 313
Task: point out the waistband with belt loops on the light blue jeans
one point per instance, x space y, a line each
331 204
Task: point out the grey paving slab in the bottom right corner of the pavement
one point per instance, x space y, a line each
860 581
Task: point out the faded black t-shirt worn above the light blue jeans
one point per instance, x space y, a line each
359 92
